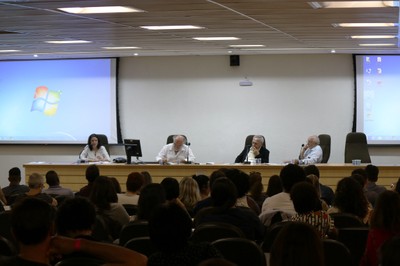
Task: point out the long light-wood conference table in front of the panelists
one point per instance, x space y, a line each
72 175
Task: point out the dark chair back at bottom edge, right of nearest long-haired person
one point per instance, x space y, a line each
336 253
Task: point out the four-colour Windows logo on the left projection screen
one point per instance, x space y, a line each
46 101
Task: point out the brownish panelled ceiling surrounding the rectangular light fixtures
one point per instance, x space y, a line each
282 26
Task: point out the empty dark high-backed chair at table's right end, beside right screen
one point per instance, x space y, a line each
356 148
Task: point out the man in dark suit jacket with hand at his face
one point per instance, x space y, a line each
255 151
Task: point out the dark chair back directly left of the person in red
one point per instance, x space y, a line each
355 239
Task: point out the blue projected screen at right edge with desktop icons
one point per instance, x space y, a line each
378 98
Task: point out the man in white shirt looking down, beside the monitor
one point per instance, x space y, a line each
176 152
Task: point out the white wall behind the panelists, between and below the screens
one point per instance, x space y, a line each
293 96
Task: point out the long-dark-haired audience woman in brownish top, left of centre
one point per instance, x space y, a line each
105 199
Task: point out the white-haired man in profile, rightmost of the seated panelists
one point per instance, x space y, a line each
311 153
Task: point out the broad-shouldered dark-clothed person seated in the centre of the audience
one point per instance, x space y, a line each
224 196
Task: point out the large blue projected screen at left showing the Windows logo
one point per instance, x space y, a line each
57 101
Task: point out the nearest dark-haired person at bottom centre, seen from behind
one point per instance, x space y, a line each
170 229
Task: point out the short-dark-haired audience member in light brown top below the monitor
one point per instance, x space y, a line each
134 183
